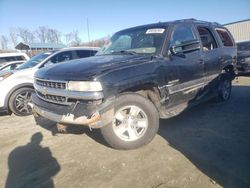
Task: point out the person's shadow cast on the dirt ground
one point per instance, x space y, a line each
32 165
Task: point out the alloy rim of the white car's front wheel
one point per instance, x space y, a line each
23 101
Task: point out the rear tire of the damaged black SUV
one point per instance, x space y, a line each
224 89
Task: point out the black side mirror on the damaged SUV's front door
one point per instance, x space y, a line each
185 47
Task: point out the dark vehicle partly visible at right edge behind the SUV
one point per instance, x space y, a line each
243 60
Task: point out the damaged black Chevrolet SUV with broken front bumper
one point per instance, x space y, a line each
145 73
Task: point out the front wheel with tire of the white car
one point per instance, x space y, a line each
19 101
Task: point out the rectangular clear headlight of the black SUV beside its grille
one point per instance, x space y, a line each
84 86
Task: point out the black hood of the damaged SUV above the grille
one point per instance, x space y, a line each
88 68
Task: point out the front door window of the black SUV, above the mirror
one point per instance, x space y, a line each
182 34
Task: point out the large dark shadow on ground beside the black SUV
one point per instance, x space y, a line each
215 137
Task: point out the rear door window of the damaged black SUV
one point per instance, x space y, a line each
207 39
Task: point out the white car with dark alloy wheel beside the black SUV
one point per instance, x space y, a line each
17 86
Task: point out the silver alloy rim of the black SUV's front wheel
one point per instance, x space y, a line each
130 123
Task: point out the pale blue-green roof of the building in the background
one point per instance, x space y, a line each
23 46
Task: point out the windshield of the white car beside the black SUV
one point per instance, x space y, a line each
35 60
